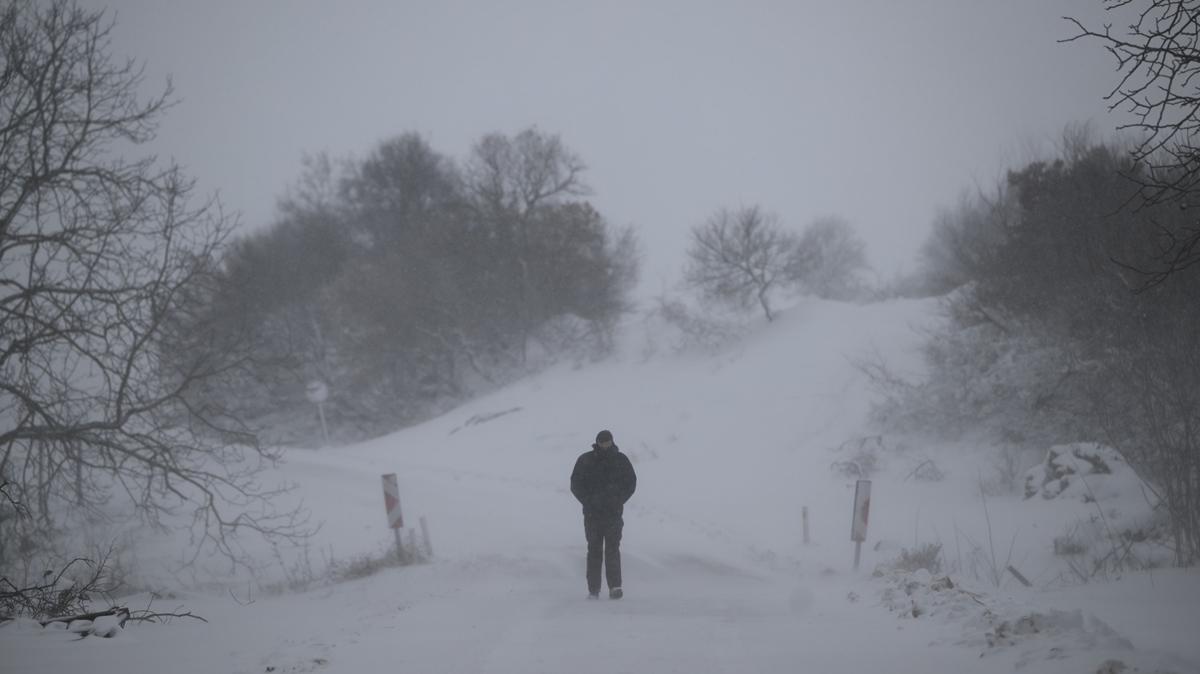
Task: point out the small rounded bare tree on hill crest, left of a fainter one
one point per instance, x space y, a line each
739 257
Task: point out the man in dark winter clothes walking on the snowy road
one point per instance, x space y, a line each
603 482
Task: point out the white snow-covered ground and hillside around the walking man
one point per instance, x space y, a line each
729 448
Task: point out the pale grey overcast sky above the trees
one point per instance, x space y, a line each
879 111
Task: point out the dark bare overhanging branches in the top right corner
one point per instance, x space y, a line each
1159 63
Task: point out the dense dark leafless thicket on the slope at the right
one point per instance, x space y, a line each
1043 311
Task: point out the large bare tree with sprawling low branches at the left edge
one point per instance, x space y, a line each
100 260
